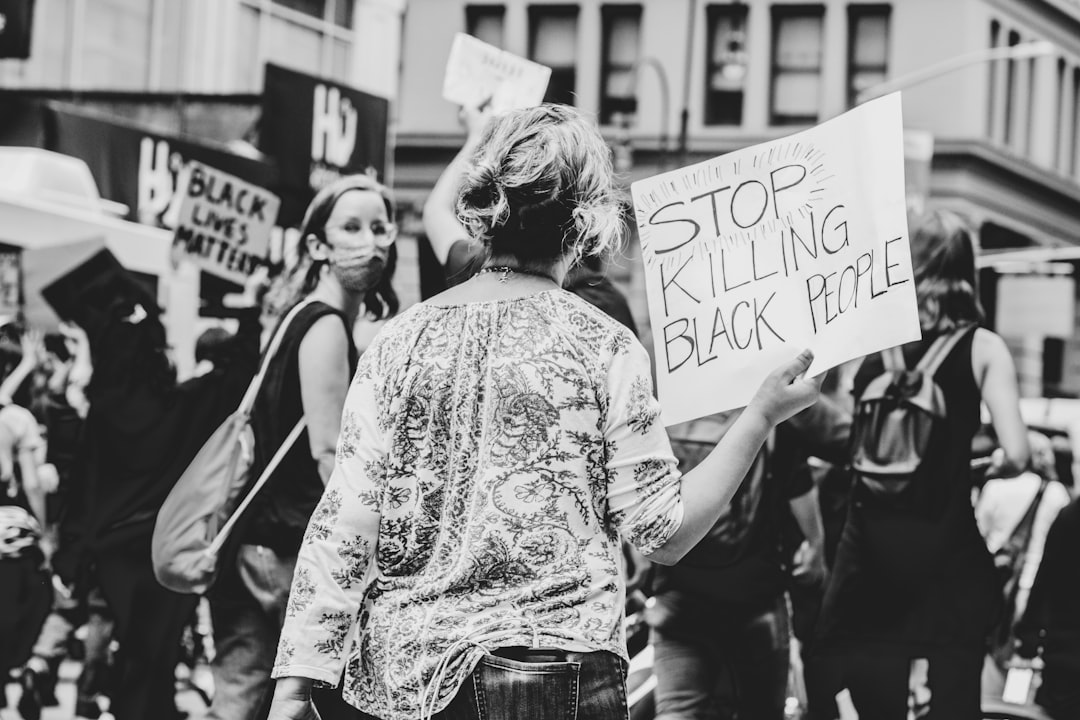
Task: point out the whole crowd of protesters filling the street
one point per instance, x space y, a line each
449 537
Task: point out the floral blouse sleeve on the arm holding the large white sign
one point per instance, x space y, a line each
644 483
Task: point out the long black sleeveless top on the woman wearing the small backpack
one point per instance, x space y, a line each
920 576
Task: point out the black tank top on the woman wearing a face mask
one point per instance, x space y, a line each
279 515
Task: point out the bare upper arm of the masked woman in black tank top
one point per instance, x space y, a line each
325 383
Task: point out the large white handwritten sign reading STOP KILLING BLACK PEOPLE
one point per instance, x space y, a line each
751 257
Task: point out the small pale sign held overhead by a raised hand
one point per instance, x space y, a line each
478 72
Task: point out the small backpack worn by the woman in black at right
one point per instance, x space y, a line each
897 417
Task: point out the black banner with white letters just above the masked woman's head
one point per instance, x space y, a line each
318 131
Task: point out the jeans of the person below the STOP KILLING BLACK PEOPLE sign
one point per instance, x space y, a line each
736 669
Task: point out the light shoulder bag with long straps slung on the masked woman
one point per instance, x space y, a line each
206 504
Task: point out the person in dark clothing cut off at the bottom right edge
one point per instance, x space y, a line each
1050 628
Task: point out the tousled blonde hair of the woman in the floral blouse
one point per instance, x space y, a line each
541 185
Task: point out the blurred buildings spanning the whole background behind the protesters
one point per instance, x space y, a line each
671 81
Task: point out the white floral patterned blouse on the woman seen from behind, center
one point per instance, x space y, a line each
492 456
